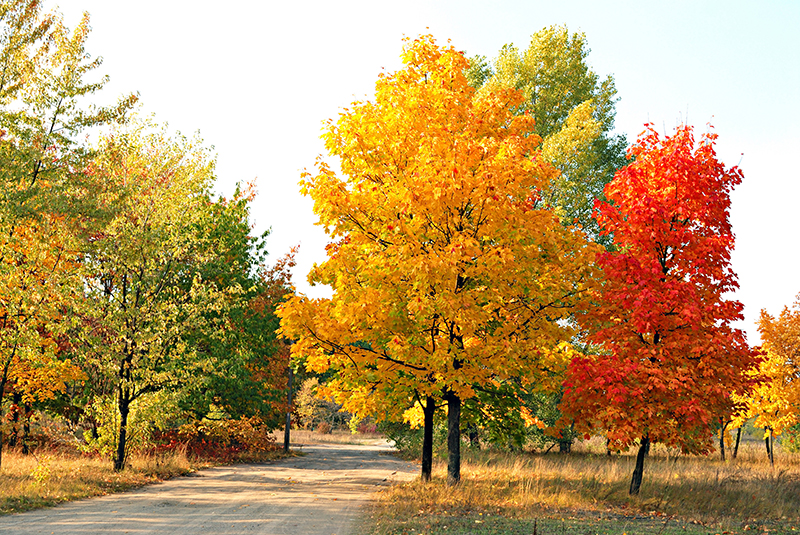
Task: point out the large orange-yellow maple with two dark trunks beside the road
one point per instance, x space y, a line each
447 271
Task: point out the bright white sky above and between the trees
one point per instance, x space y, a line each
258 78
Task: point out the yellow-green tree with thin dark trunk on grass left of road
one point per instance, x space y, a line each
144 290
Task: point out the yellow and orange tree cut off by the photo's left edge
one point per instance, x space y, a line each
45 205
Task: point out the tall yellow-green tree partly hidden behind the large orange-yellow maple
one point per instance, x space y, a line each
574 112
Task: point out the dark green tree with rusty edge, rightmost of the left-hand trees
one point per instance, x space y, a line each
241 366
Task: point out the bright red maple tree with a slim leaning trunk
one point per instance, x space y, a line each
672 359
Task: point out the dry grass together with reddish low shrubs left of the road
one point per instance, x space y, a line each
66 470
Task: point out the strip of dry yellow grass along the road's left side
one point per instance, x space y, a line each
33 481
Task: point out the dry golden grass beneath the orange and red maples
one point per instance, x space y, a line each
679 490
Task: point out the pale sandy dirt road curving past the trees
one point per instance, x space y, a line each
318 494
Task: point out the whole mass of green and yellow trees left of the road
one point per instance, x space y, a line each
122 280
